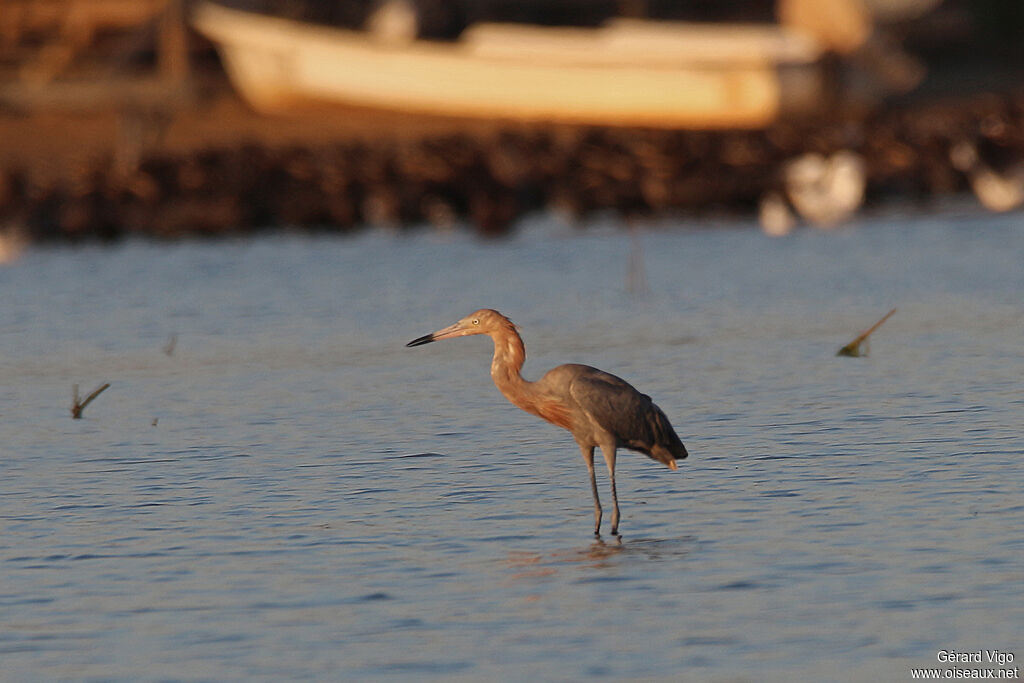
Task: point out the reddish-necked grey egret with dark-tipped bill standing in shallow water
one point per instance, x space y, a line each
599 409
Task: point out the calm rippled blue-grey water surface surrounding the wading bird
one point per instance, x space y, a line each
293 495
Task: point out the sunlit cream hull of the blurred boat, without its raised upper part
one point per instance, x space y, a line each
281 66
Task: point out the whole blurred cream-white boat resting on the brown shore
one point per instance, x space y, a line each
627 73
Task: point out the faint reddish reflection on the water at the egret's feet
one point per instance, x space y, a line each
601 554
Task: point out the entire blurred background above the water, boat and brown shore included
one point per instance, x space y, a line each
173 118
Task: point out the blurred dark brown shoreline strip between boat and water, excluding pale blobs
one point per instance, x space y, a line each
223 169
